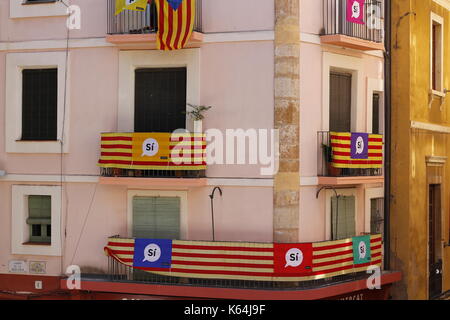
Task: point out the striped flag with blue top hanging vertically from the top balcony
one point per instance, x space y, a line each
175 23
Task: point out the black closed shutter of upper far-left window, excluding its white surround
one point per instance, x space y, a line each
39 104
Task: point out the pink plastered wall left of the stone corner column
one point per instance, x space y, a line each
235 77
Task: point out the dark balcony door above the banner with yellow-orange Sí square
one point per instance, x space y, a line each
160 99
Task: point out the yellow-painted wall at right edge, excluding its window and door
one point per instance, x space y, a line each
411 102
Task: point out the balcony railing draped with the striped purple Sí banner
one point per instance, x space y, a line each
344 155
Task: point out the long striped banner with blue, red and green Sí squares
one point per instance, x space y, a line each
245 260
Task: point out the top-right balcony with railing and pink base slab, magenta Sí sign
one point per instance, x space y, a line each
337 30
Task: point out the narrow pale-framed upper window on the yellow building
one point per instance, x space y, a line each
437 53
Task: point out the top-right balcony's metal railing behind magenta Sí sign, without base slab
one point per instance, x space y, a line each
335 20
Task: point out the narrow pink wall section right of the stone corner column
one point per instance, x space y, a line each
314 94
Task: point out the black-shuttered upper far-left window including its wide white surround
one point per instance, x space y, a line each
37 104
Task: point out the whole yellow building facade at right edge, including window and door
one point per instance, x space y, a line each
420 147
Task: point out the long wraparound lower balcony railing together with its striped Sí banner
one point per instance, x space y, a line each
258 265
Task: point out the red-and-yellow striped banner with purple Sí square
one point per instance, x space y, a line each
356 150
